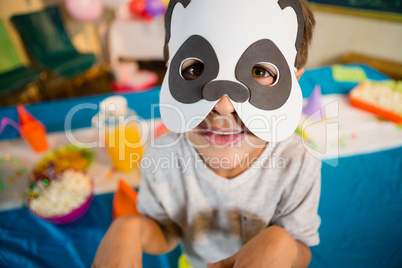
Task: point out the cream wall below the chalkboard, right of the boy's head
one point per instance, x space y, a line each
337 34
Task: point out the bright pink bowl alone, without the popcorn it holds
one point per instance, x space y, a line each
73 215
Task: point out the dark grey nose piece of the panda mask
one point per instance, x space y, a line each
215 90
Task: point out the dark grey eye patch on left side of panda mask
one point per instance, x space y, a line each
190 91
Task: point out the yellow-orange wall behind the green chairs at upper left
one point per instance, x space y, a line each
83 35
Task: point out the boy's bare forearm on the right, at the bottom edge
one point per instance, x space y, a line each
274 247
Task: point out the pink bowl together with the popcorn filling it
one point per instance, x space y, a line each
61 198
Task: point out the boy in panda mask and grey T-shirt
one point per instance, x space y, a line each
238 190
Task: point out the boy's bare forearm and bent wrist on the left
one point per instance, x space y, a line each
128 237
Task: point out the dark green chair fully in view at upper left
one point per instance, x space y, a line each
48 45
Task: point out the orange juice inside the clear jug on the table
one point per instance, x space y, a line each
124 145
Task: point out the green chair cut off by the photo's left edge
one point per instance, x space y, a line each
14 77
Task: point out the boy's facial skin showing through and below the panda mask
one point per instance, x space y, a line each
221 139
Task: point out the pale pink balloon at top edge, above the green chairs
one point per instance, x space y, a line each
84 10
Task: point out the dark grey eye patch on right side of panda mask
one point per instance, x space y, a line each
265 97
